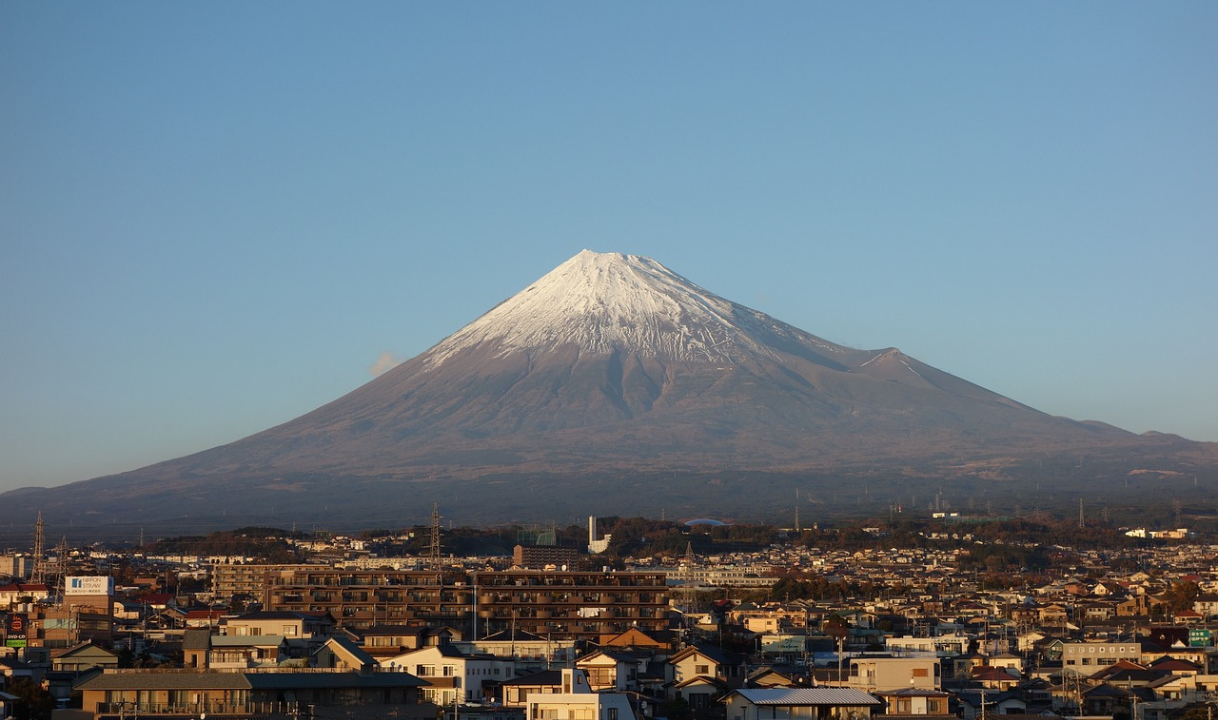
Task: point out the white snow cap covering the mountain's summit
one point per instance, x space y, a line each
607 303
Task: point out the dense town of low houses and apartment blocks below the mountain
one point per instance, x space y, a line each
941 616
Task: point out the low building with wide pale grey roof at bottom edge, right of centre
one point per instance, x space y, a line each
808 704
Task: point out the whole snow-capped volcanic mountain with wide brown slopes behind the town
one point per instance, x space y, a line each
613 386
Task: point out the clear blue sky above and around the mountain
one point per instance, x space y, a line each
219 216
